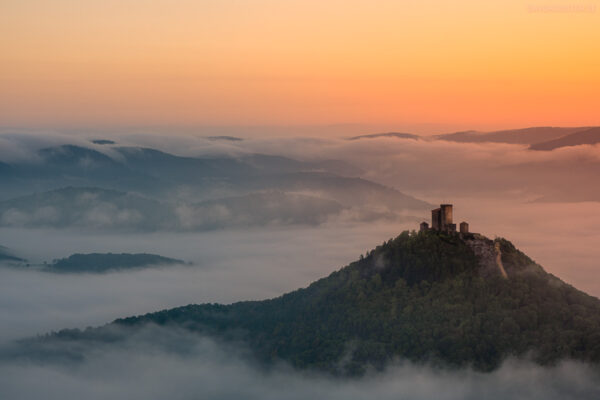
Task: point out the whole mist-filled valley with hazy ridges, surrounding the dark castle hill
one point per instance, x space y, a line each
257 218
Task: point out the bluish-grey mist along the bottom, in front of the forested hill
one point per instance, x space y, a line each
165 363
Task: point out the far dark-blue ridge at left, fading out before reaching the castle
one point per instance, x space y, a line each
145 170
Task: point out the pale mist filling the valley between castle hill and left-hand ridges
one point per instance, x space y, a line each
227 266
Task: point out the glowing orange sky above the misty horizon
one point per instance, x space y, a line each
451 64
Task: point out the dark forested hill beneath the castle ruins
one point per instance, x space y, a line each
425 297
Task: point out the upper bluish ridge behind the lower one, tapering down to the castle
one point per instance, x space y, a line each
158 174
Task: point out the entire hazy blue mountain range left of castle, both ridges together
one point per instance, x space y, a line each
134 188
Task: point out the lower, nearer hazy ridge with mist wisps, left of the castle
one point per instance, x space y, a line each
300 203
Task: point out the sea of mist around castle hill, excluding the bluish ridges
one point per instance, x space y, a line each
546 203
